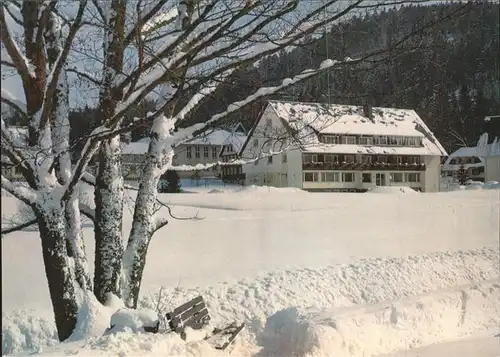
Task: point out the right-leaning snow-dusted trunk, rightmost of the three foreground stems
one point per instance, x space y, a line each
143 228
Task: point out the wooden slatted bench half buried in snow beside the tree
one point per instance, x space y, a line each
194 314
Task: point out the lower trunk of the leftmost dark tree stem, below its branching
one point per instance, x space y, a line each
58 270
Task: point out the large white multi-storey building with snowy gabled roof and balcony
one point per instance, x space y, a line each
341 148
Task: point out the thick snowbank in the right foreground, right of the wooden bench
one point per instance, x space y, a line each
385 327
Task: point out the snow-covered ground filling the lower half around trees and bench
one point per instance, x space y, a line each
378 274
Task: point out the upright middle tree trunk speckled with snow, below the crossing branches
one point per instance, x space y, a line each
108 221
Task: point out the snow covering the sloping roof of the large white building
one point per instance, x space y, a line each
350 119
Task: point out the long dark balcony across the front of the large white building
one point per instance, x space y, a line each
358 166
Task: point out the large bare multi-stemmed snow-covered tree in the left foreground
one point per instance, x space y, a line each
175 52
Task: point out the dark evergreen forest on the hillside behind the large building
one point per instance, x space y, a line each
448 74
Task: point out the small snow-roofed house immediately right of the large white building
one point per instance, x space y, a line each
472 163
